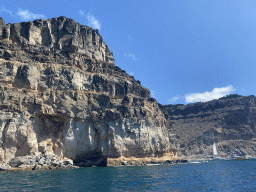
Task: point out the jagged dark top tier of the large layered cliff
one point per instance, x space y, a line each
59 33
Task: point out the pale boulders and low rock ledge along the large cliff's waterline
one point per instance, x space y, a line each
48 161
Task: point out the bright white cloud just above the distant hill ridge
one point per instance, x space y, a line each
216 93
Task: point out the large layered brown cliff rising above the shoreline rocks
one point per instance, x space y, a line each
61 92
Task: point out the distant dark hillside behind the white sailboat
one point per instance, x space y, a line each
230 122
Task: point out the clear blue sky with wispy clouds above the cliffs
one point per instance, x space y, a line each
182 51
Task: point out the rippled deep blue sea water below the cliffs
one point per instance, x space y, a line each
219 175
